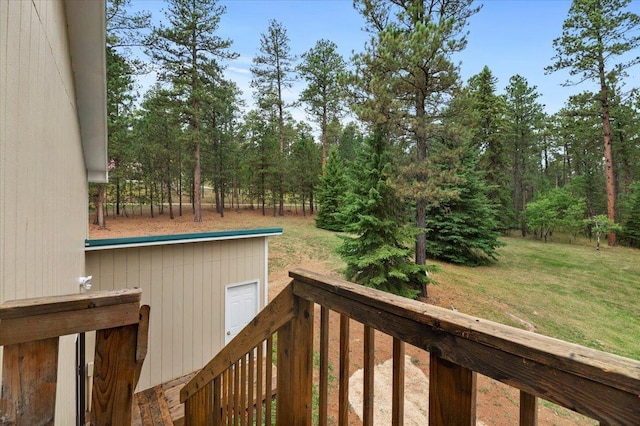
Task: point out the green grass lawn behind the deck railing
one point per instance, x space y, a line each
568 291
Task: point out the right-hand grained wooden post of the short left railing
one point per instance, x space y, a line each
114 373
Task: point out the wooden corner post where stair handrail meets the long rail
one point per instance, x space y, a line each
295 367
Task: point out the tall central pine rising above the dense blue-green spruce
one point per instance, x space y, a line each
409 57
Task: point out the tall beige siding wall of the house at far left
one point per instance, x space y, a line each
43 190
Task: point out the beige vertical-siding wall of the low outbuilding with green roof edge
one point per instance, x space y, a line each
185 286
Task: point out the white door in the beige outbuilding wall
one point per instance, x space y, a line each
241 305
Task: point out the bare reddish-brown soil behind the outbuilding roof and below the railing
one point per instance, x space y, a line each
497 404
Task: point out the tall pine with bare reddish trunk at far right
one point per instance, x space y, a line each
595 35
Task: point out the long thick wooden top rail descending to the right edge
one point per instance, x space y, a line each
598 384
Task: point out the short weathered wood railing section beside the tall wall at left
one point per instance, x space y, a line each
30 331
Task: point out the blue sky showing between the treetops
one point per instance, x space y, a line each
509 36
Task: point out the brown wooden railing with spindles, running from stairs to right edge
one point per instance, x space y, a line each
602 386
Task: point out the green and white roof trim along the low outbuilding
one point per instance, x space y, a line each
180 238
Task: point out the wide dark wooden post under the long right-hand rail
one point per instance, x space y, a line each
452 394
